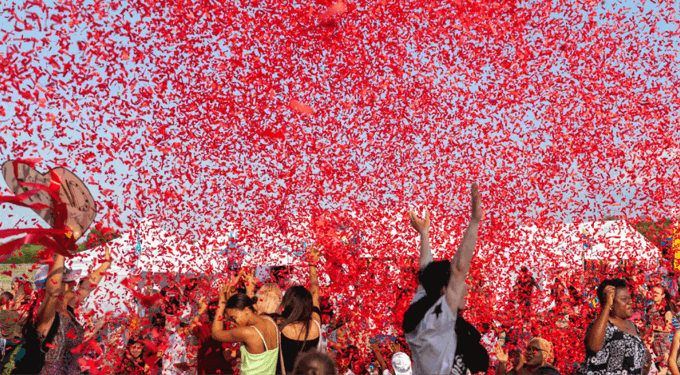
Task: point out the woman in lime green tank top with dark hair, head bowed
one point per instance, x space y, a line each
258 335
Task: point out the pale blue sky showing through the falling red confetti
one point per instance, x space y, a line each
418 162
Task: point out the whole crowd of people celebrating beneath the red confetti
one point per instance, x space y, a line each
248 327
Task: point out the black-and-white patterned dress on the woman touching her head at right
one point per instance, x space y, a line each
621 354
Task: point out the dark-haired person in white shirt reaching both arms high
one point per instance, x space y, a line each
429 323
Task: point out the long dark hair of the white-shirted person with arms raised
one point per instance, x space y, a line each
432 278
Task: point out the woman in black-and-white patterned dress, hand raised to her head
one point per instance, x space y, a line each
613 345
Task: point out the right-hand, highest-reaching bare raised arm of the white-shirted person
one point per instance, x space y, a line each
460 264
